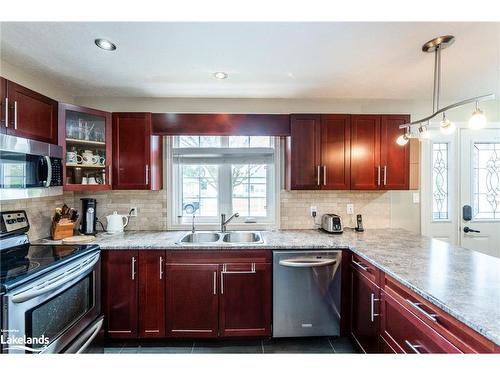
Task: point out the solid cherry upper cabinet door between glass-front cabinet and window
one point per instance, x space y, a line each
131 151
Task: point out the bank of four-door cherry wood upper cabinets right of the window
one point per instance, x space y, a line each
347 152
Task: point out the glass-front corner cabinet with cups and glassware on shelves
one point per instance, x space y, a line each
85 135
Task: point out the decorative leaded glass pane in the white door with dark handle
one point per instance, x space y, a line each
486 181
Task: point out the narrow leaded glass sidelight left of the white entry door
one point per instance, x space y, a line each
440 201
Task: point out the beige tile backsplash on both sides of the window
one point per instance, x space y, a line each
378 208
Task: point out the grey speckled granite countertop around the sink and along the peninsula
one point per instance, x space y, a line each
464 283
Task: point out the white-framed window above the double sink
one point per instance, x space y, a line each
211 175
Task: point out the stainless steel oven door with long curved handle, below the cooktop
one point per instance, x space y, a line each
54 310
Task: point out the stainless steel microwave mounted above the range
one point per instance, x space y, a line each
29 168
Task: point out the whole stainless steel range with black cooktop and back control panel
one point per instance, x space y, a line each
51 298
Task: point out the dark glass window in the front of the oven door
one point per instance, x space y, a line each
54 316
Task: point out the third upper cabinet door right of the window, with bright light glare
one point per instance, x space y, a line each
365 152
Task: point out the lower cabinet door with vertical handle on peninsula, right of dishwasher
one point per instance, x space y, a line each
365 312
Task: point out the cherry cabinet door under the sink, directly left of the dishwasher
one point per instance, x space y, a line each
245 299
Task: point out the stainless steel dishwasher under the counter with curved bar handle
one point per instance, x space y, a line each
306 293
